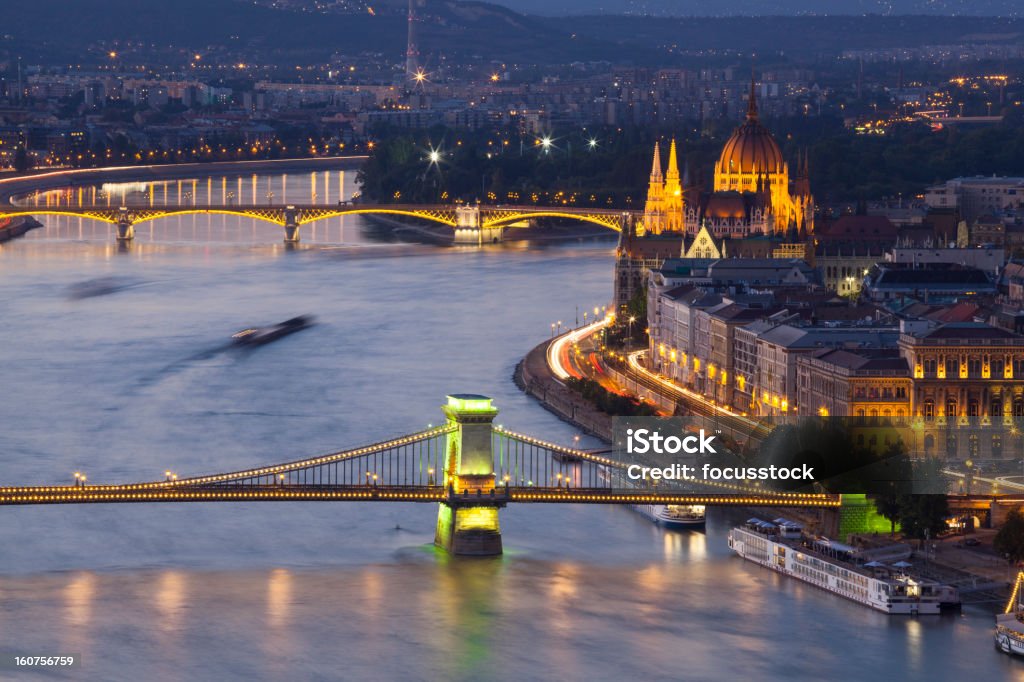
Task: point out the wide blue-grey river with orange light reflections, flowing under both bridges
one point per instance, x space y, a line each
114 365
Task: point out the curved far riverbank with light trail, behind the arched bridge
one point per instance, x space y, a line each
13 186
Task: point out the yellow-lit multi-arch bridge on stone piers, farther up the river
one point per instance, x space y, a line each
471 225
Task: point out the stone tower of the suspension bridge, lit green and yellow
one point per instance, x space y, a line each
467 521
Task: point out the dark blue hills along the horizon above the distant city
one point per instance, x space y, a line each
77 31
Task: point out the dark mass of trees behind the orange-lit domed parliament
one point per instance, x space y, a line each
845 166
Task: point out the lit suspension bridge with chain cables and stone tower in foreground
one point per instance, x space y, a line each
470 465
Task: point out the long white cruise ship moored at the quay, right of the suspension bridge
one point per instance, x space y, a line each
782 546
